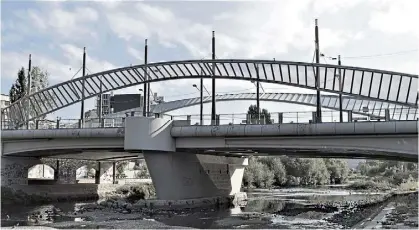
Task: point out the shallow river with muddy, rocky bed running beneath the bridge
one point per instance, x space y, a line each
325 208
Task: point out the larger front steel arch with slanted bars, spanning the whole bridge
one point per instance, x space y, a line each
372 84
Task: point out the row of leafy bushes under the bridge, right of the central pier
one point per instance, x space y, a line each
266 172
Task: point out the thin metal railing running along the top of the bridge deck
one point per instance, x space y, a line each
221 119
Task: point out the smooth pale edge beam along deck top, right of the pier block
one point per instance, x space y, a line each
355 128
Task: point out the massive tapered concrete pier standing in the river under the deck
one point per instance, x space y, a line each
178 176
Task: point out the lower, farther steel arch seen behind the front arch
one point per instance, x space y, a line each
356 106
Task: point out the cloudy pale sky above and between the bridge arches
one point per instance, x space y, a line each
113 33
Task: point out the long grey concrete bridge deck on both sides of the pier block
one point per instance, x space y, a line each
389 140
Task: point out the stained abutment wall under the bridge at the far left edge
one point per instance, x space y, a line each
14 170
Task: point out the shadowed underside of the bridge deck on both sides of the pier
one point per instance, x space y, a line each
120 154
